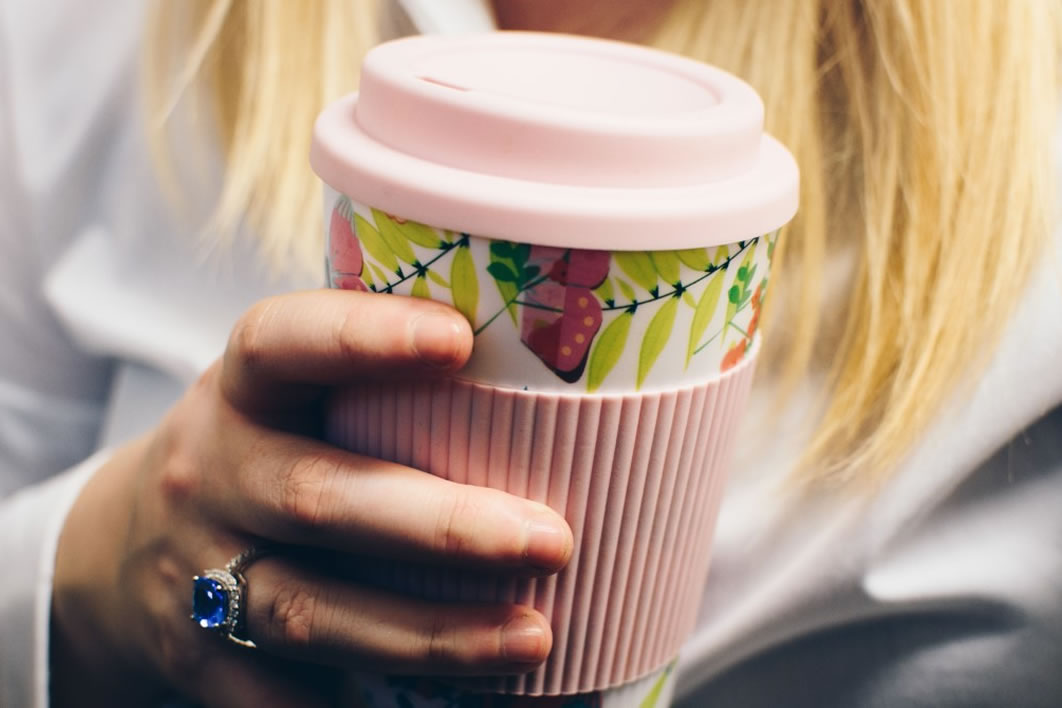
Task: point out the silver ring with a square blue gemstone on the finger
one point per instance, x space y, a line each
218 597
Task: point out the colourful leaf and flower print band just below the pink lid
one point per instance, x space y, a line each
574 309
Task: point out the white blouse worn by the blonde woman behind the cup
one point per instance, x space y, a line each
945 591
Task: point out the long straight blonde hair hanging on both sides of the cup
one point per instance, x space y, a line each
923 130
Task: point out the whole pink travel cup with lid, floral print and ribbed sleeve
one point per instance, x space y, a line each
605 216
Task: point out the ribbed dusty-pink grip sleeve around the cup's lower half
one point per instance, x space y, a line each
639 477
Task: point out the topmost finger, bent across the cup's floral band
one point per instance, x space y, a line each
286 344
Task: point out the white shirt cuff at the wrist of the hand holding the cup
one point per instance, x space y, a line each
30 525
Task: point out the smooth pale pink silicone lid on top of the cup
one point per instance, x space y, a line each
558 141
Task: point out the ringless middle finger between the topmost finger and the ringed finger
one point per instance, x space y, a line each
303 492
